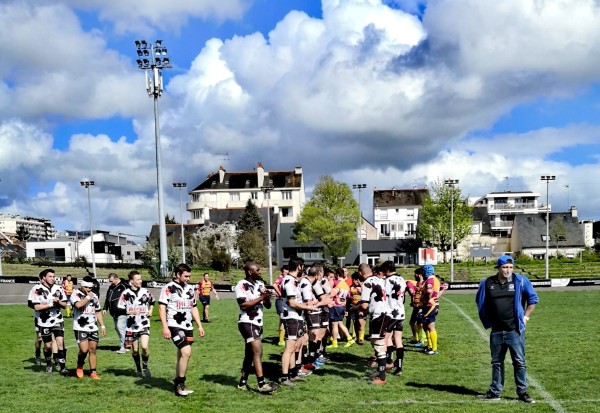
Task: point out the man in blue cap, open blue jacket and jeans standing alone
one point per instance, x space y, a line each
505 302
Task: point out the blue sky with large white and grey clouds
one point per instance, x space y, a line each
387 93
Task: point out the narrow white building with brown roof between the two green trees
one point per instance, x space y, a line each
396 212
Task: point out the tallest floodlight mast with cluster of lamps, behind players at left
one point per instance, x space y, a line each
151 59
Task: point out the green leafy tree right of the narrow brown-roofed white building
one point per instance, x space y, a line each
434 218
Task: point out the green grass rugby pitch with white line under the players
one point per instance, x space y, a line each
562 361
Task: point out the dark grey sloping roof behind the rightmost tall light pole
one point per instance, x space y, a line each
531 227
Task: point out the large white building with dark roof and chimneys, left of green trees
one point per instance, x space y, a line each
232 190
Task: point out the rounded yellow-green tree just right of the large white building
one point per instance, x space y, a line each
330 218
